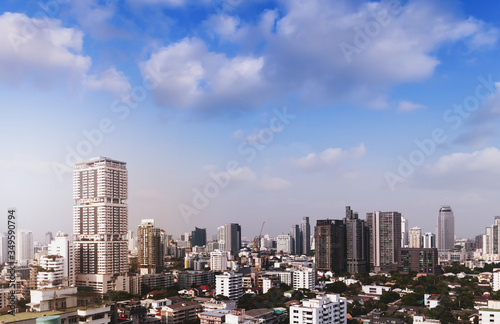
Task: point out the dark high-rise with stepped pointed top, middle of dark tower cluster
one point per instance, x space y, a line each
357 243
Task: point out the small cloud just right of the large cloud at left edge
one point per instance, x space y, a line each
110 80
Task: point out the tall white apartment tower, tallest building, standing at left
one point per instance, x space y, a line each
100 222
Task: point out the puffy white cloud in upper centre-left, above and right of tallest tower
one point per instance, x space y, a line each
190 76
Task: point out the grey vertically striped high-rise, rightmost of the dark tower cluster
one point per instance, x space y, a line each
385 238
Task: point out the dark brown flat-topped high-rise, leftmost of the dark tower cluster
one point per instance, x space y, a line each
330 238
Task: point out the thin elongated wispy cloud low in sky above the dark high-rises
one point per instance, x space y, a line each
328 158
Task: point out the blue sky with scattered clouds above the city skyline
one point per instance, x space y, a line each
251 111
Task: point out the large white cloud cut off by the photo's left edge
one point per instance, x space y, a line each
40 50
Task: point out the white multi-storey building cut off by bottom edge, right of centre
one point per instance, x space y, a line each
329 309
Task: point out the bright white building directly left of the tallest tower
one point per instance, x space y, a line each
63 246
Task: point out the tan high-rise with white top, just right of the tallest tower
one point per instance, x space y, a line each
149 247
